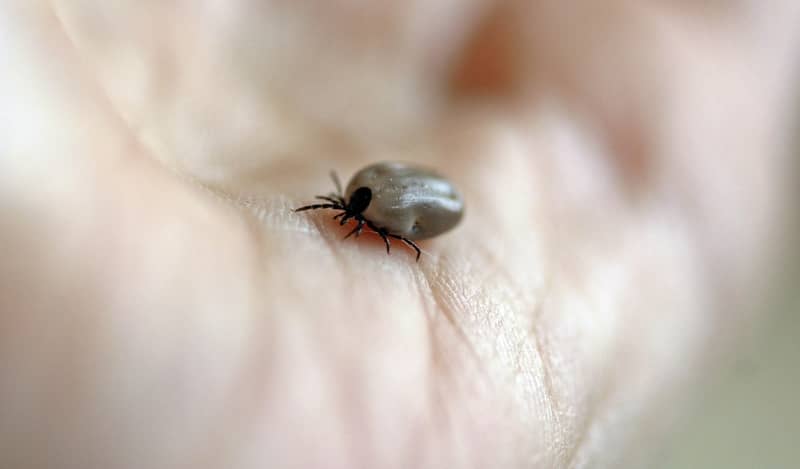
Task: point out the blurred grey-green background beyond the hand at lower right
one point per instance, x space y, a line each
748 413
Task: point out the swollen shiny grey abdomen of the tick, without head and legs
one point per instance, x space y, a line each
408 200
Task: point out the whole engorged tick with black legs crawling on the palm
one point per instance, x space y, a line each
396 200
